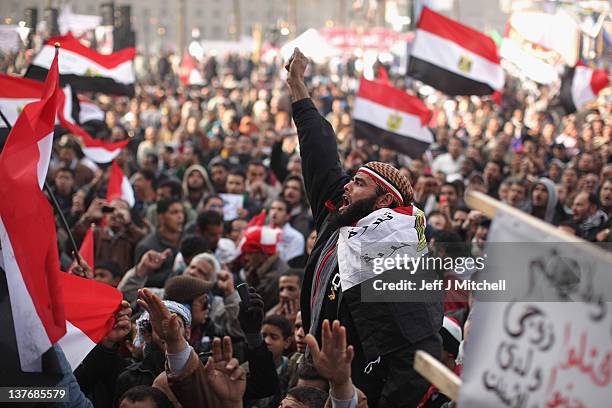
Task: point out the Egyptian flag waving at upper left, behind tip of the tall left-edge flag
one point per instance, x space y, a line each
86 69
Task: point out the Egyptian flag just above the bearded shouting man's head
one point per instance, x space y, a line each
390 117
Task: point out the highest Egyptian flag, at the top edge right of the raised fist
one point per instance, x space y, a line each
454 58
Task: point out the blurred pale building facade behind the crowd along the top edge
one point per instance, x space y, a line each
159 27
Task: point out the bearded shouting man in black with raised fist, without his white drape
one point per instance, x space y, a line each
385 334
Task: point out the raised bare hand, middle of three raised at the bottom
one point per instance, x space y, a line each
224 374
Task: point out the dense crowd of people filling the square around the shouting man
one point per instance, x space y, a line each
228 191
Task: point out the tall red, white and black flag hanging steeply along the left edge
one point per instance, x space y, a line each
27 230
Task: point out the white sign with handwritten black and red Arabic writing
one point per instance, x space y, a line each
526 354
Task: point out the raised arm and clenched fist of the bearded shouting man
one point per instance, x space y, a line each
324 177
